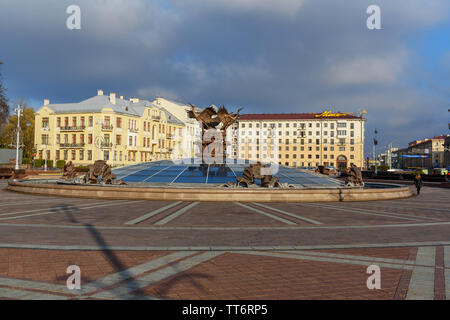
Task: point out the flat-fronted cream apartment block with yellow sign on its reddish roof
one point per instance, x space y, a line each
301 139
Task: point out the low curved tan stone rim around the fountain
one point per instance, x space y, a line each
213 194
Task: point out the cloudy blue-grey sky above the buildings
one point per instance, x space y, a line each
268 56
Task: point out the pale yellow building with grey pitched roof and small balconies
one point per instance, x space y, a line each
109 128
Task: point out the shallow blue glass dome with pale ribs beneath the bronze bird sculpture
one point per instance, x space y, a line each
187 172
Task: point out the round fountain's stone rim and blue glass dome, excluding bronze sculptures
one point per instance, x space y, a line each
169 181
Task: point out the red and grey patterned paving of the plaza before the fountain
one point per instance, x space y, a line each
205 250
